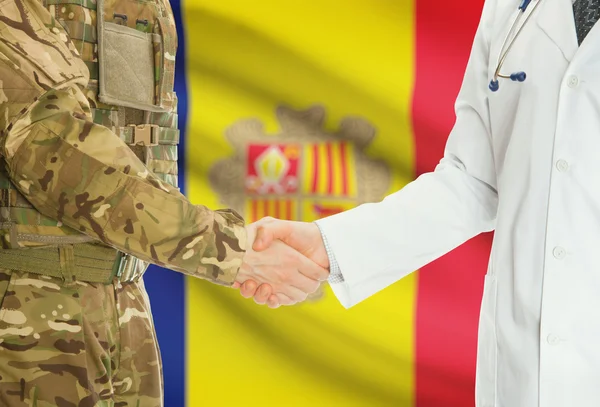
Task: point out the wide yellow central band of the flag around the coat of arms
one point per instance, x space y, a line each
244 58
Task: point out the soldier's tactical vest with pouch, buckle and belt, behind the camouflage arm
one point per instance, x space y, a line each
129 48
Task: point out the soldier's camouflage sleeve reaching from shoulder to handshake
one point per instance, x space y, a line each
82 174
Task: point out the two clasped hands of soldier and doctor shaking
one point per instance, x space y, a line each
285 262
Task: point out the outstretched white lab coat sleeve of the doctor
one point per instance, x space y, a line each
377 244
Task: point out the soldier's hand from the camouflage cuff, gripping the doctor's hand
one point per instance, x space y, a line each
285 273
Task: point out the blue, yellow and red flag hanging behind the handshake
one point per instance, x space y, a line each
398 64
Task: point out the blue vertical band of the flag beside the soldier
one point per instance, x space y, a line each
167 288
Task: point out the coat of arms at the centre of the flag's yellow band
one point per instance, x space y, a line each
302 173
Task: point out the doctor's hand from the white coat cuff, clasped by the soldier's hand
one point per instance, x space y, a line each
302 236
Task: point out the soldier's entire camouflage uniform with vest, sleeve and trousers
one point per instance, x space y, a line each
88 197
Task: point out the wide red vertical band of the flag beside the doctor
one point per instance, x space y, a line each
449 293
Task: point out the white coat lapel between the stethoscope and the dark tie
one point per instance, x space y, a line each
556 20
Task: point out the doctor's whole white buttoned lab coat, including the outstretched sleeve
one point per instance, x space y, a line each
524 161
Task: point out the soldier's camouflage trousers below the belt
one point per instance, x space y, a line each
80 345
